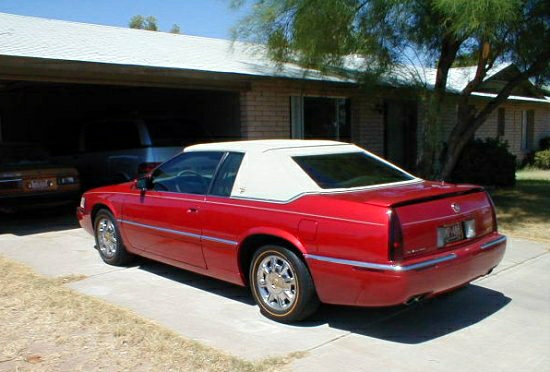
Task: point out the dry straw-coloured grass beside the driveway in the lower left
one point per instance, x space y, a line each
47 326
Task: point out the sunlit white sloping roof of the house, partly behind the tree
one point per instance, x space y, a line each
32 37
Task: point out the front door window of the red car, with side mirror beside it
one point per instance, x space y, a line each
188 173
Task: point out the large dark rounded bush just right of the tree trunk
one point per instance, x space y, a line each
486 162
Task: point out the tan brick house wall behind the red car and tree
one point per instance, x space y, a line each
265 113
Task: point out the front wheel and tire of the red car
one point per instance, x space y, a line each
108 240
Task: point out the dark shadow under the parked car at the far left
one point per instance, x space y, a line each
38 220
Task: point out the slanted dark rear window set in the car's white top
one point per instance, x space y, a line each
355 169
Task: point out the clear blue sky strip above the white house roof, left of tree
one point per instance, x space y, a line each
210 18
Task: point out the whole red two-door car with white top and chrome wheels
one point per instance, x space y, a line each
301 222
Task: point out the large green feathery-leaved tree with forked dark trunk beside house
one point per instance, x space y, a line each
391 34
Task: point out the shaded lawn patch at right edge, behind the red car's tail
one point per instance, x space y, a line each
524 210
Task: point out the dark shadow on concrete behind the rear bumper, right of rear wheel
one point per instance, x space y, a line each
418 323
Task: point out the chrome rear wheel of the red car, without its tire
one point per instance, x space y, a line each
276 283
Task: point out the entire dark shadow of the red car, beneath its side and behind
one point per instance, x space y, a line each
414 324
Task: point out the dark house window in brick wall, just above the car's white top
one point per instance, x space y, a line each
320 118
